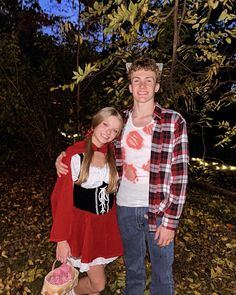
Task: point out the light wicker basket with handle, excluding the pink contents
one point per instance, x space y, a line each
50 289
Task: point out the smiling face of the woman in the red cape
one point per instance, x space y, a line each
106 131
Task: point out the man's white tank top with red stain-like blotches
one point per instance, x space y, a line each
136 152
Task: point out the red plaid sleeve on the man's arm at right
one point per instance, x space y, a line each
179 176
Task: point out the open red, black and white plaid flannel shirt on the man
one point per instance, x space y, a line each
168 167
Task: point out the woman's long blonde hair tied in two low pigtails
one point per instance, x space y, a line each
97 119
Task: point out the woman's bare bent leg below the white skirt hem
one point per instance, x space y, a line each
93 283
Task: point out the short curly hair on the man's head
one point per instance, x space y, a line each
145 63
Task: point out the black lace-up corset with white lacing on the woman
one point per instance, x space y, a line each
94 200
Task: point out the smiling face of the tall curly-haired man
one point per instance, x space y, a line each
143 85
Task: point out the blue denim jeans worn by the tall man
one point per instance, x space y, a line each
135 235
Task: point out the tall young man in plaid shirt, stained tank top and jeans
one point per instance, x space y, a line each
152 160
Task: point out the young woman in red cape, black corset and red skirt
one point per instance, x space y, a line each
83 206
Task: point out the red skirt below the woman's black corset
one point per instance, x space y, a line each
95 235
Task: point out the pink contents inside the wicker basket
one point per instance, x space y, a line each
61 275
